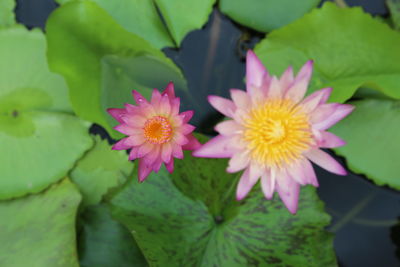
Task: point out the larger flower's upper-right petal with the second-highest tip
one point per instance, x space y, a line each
299 87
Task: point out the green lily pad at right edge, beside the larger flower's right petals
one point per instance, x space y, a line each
372 133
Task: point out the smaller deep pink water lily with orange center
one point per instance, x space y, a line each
156 132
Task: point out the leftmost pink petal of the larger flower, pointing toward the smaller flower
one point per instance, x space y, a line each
217 147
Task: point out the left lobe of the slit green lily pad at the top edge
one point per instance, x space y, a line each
138 17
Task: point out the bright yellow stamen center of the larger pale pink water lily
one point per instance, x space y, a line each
277 133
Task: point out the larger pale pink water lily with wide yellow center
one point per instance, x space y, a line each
273 133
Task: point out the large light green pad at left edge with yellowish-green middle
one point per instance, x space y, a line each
39 142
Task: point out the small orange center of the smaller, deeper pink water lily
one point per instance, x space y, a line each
157 130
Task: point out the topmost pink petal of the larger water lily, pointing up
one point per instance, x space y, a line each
255 71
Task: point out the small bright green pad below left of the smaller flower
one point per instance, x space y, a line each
100 170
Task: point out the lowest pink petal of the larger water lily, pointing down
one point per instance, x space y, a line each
288 190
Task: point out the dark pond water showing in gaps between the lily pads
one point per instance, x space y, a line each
365 217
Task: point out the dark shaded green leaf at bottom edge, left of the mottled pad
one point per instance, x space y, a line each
104 242
